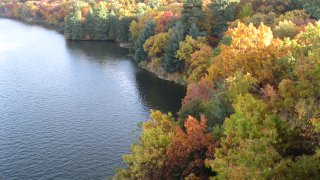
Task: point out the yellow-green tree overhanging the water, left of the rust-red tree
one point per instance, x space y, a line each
147 157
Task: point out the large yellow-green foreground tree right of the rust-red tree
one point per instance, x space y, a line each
247 150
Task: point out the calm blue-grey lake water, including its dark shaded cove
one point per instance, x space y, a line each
68 109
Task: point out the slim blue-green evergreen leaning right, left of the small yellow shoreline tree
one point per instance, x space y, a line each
148 31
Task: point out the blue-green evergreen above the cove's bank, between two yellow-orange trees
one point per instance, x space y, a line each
171 63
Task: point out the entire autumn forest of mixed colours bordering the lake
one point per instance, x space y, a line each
252 72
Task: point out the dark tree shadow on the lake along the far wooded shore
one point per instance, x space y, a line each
154 92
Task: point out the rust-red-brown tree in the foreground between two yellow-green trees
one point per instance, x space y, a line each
190 148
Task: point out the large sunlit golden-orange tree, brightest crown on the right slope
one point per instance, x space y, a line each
252 50
